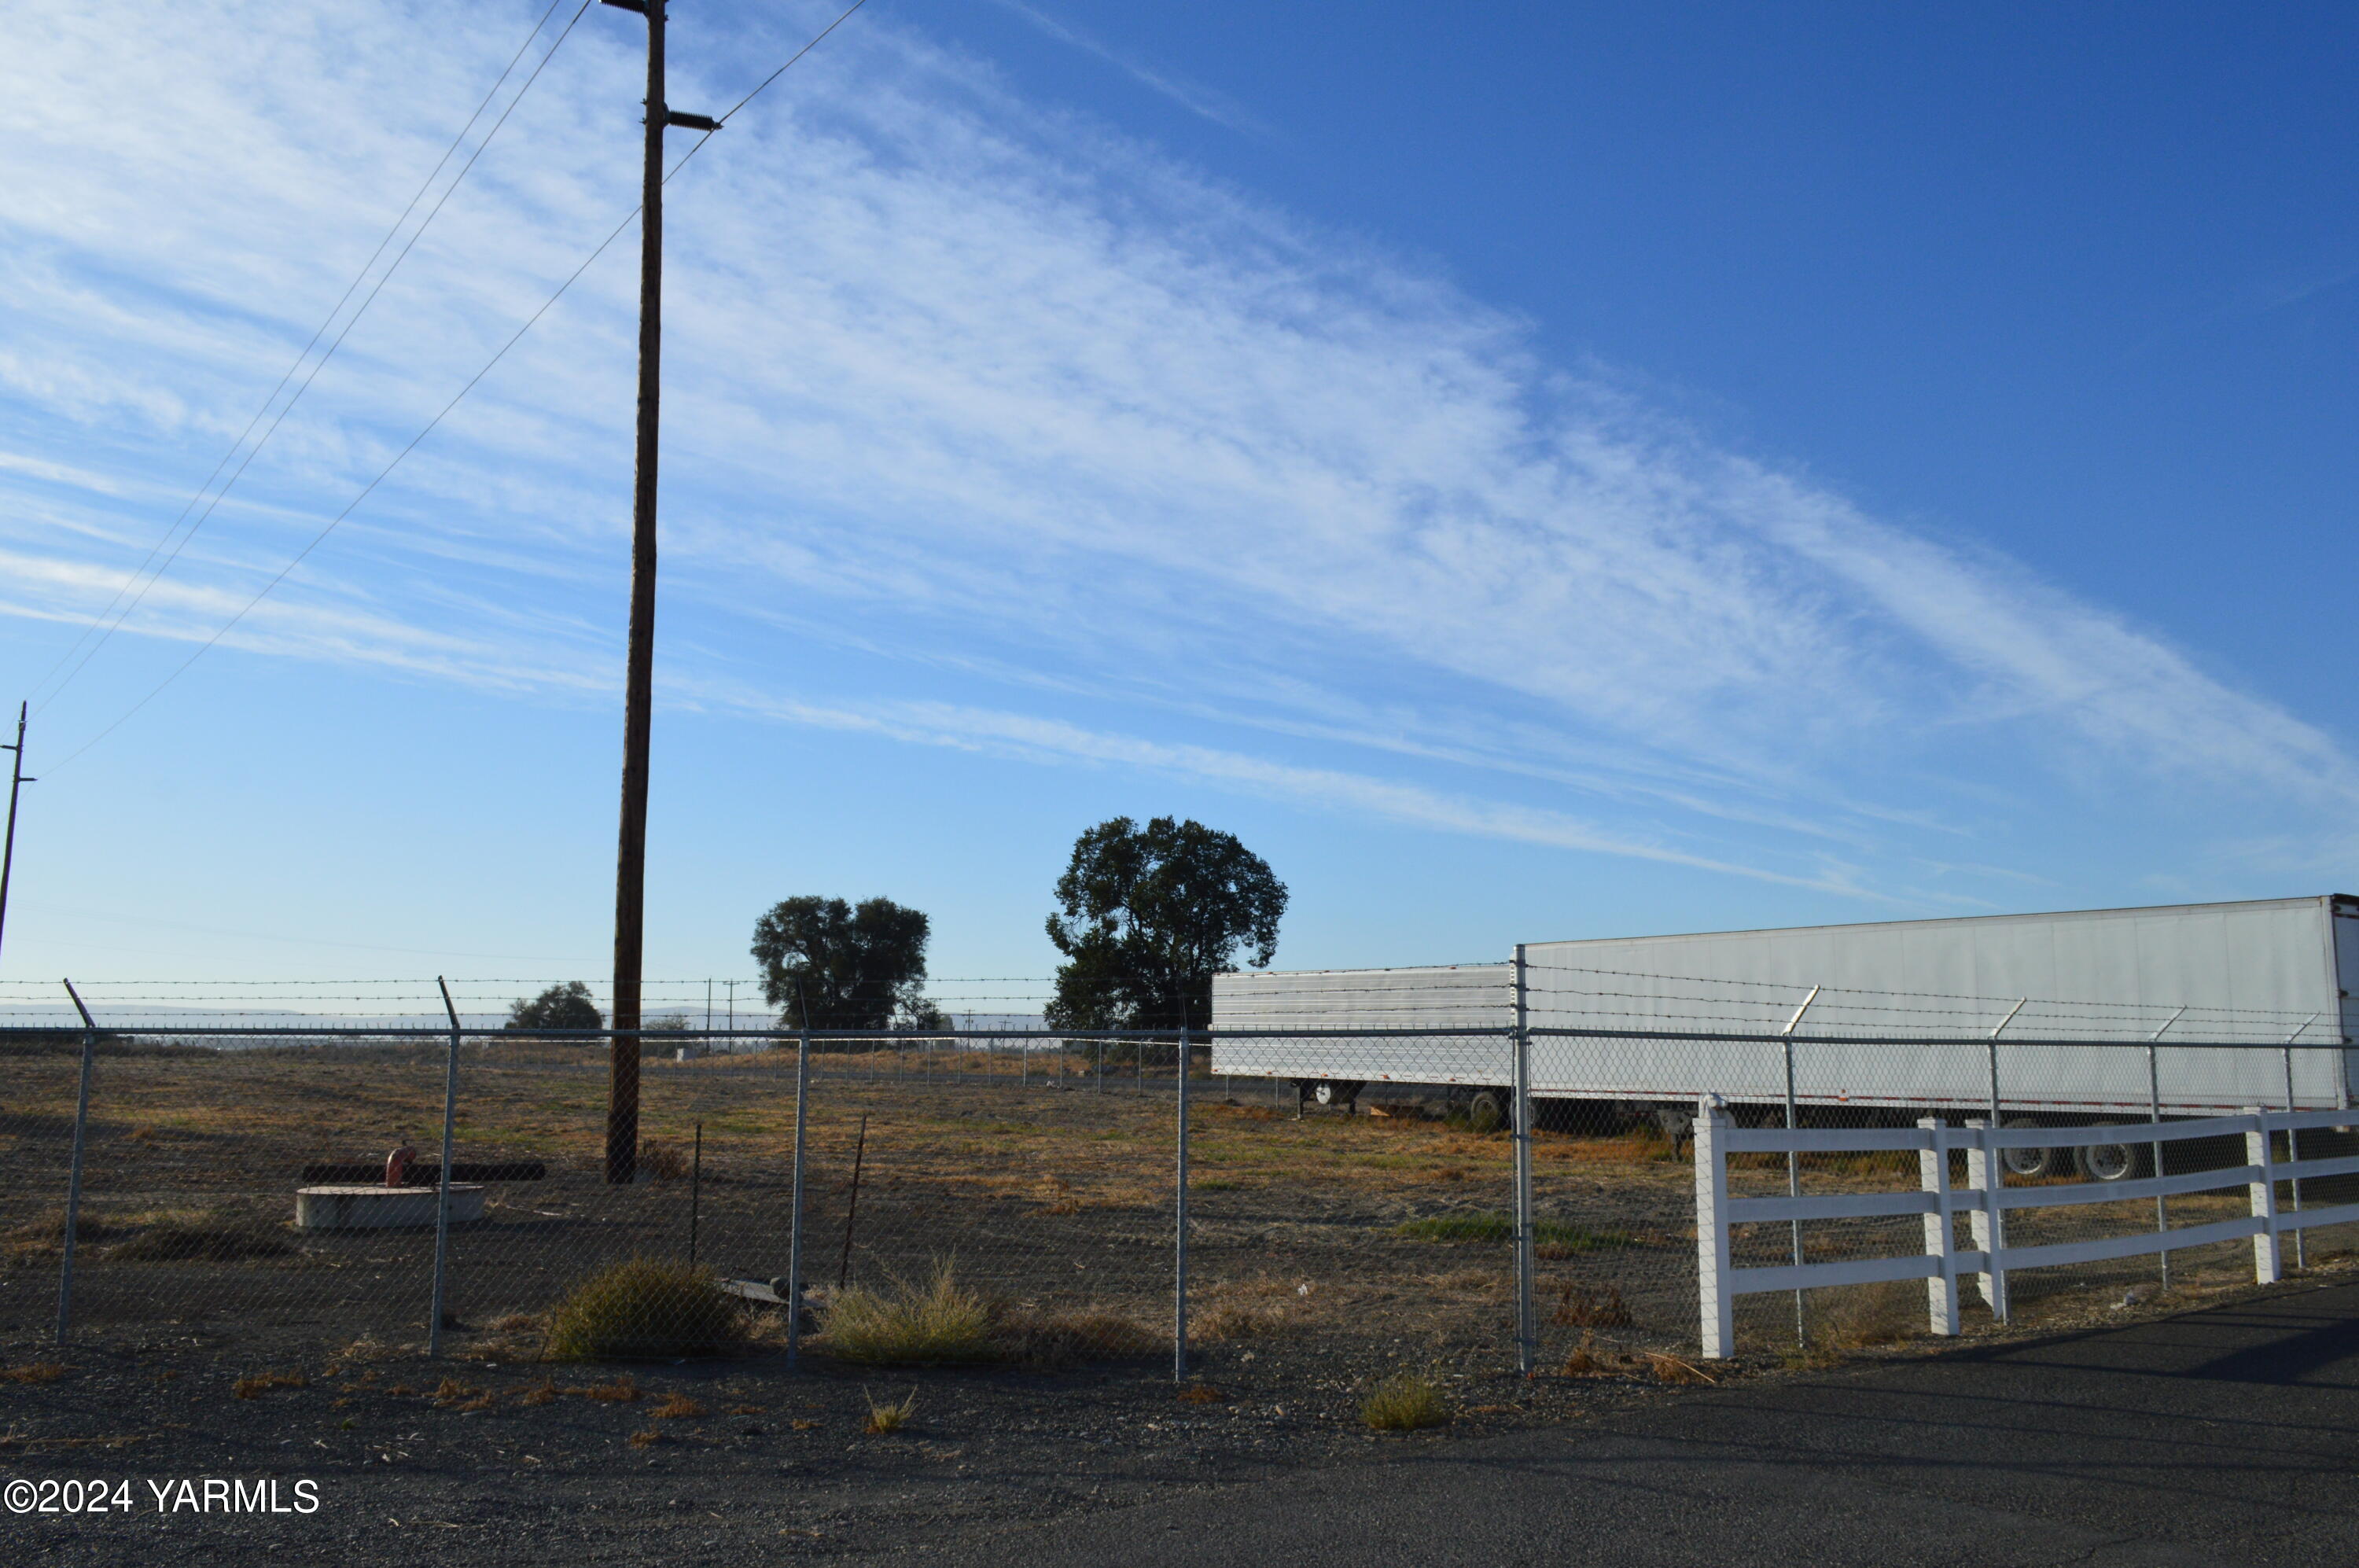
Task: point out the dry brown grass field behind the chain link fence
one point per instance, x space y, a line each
1348 1241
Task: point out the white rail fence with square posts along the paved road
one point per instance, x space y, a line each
1987 1206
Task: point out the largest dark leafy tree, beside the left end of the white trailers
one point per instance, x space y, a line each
1150 916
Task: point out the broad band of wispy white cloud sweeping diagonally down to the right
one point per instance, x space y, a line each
1027 421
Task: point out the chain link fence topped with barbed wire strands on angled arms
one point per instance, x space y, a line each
1308 1204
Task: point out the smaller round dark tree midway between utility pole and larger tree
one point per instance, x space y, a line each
834 966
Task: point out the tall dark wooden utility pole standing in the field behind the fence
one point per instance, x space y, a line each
640 664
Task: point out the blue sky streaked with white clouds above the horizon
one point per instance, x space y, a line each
1527 470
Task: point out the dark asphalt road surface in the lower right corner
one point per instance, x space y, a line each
2219 1437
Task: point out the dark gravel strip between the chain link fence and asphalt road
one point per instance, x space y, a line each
761 1463
